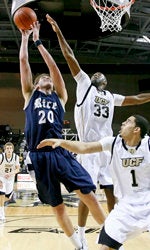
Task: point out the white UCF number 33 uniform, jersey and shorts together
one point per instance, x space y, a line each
93 115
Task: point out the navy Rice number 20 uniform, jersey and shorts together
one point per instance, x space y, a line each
44 119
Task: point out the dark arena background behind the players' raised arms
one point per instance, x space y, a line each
121 56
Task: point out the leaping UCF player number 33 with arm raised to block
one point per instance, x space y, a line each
94 112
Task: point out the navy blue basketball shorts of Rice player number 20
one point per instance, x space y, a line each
55 167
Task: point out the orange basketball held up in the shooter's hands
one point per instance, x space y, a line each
24 17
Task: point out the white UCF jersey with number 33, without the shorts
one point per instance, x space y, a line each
94 111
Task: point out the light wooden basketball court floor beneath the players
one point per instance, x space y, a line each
32 226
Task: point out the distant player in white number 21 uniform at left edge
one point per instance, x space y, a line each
9 167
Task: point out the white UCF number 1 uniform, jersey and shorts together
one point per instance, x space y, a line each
130 169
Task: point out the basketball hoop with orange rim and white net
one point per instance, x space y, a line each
111 12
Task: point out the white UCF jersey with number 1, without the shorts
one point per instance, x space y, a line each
130 169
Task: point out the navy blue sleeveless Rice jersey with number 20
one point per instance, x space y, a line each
44 118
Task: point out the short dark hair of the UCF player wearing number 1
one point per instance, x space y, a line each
143 123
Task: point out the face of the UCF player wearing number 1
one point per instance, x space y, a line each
128 128
